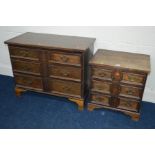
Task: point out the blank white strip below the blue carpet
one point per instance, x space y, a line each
77 142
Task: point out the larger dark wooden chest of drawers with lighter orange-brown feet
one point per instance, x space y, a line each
52 64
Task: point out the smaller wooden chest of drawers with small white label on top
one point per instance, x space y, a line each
118 81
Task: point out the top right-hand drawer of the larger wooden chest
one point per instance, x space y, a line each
65 58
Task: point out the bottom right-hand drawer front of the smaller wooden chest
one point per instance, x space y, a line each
128 104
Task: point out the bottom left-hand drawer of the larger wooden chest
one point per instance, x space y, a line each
29 81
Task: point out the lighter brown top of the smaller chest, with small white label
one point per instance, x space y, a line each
134 61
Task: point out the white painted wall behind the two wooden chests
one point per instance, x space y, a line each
140 39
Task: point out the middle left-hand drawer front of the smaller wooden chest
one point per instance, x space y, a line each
101 86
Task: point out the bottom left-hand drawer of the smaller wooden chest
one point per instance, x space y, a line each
100 99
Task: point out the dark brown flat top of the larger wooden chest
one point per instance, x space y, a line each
52 41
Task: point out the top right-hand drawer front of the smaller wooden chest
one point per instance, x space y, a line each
134 78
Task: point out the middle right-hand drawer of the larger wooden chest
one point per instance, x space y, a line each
68 72
